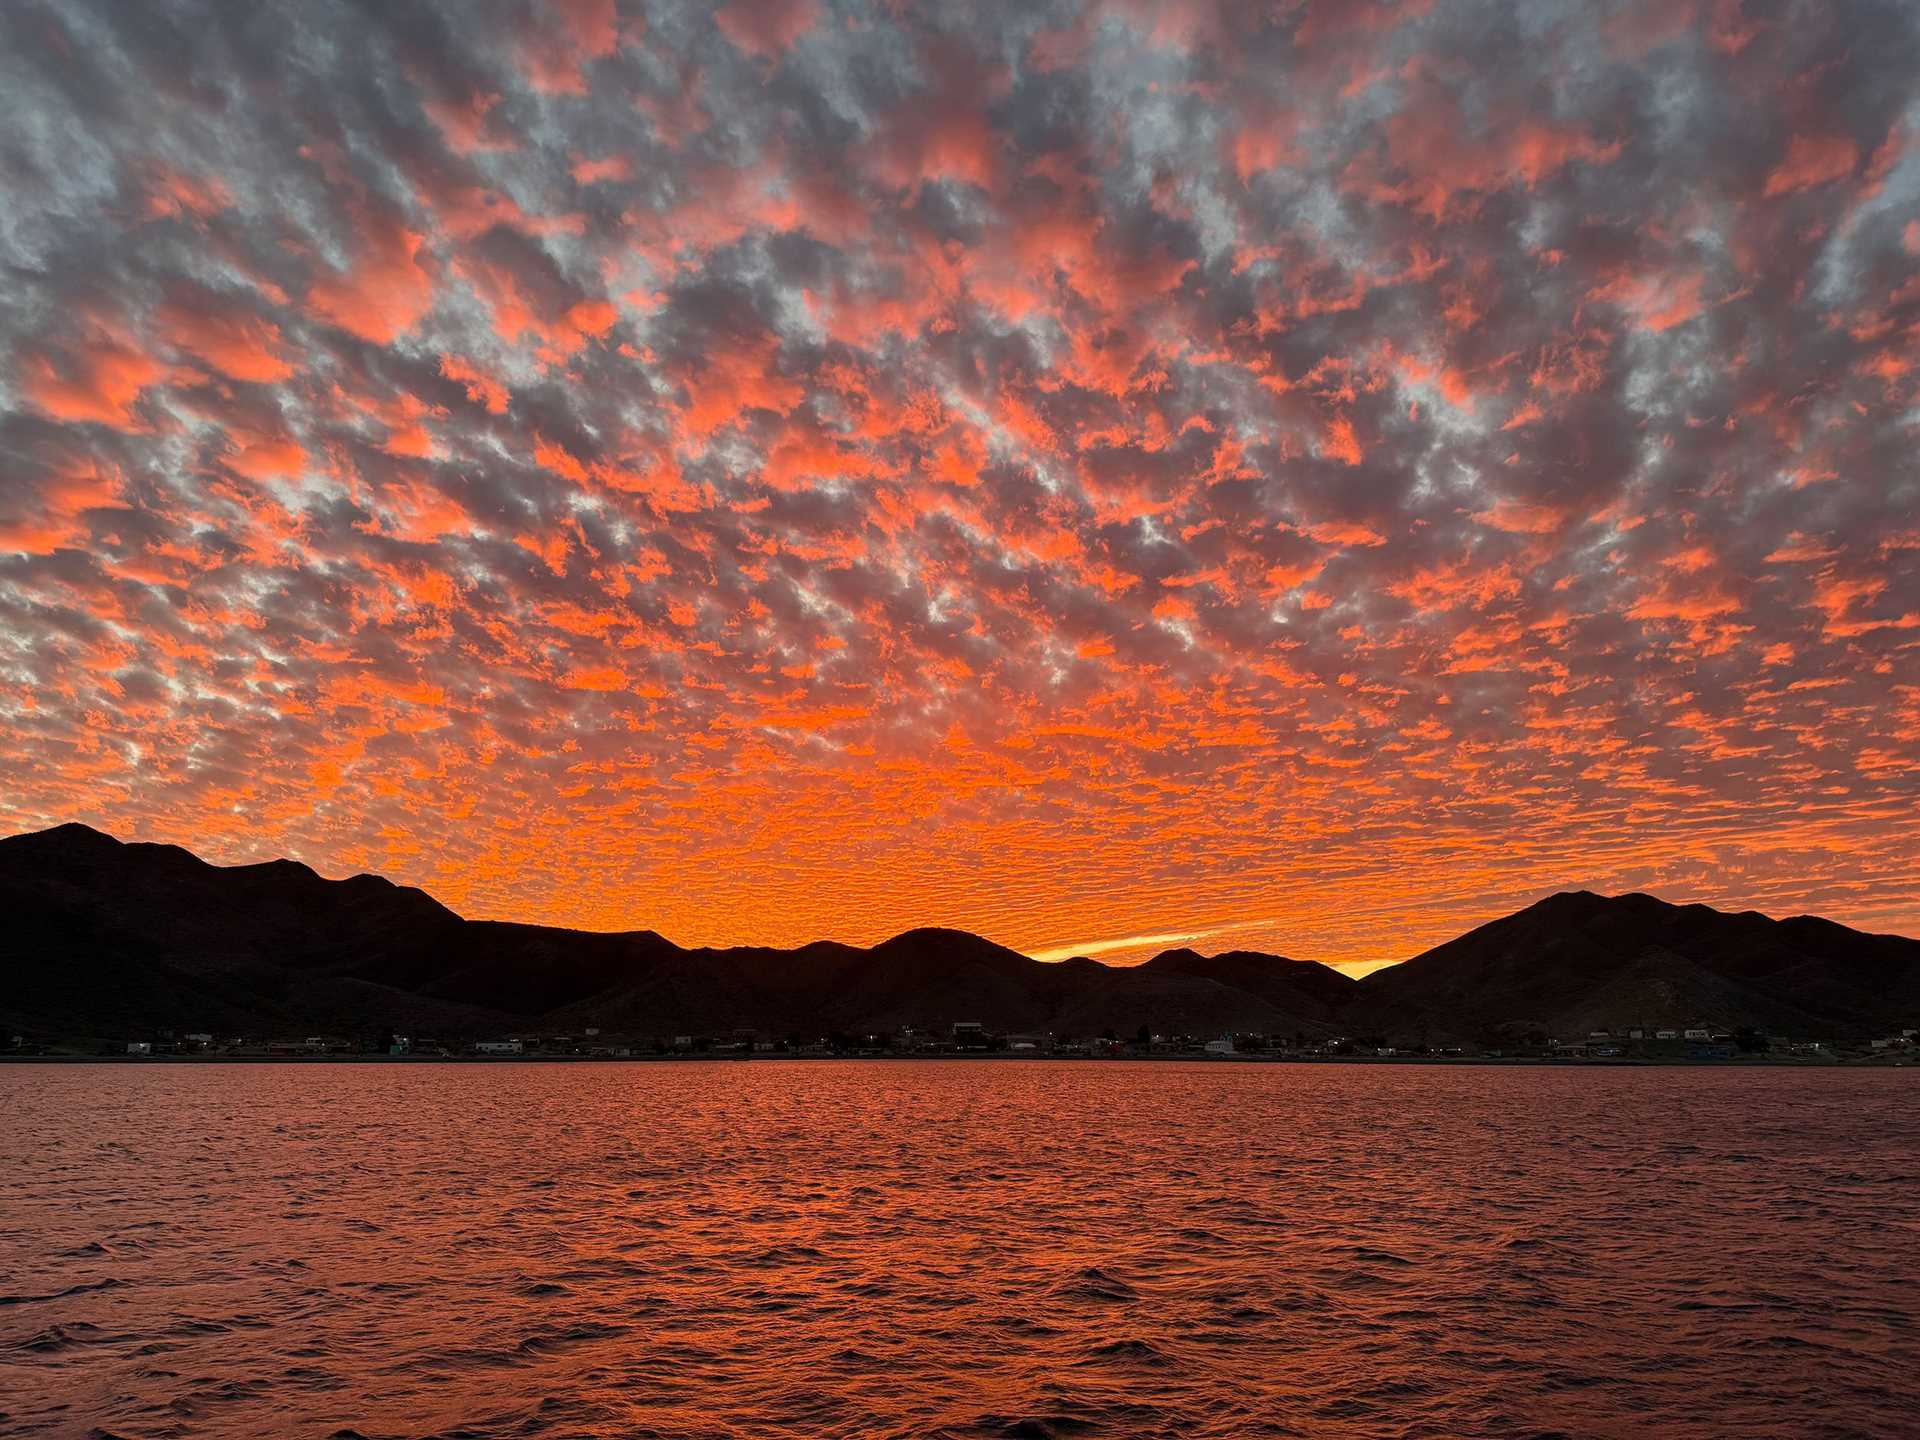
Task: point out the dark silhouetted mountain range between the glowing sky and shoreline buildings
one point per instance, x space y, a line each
116 940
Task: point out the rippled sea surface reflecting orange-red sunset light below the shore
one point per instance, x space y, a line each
969 1249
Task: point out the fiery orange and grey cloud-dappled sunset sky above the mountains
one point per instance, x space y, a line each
1297 477
